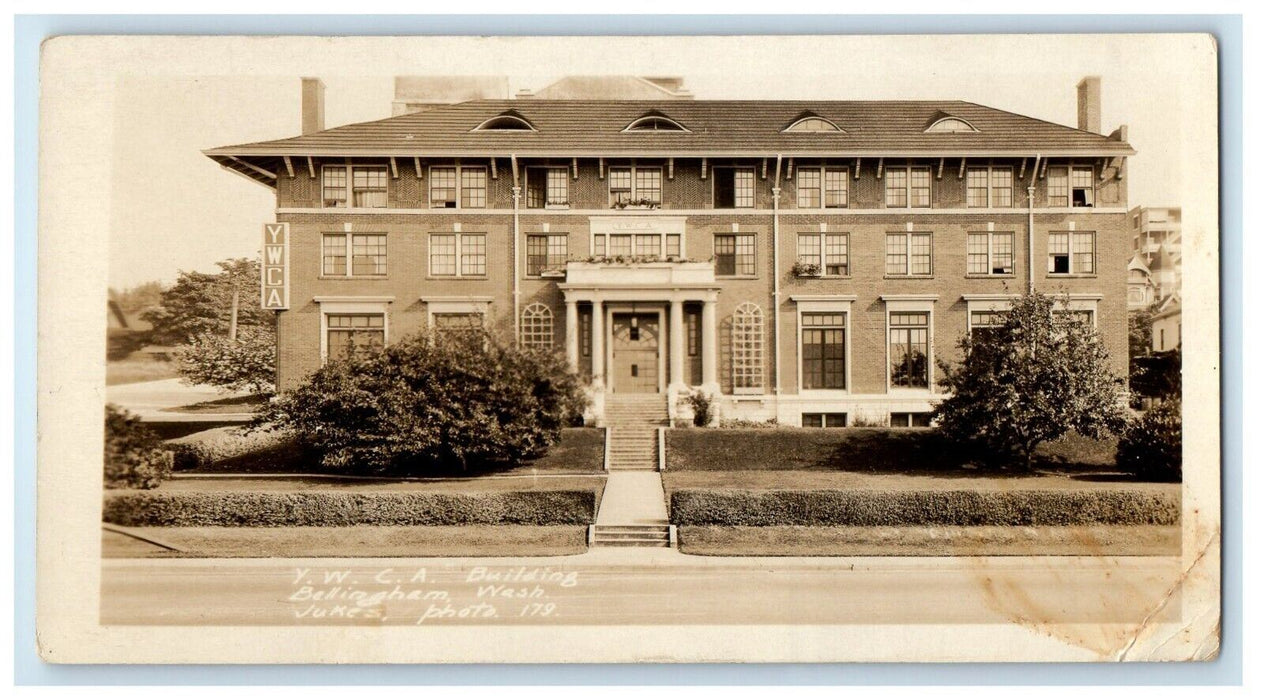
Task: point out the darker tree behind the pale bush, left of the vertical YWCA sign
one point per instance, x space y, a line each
202 304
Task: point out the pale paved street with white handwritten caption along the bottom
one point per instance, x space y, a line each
644 587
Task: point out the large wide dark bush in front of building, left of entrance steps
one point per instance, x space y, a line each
432 404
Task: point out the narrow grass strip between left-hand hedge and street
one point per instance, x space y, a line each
356 541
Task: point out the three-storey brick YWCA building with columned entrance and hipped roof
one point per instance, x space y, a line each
806 261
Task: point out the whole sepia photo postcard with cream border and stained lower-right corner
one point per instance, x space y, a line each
590 349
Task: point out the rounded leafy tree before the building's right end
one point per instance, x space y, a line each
1041 375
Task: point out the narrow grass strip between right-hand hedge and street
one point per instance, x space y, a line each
931 541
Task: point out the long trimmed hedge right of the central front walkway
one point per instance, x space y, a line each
708 507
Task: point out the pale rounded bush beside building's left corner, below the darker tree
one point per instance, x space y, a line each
247 363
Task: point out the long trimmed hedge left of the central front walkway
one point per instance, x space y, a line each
339 510
